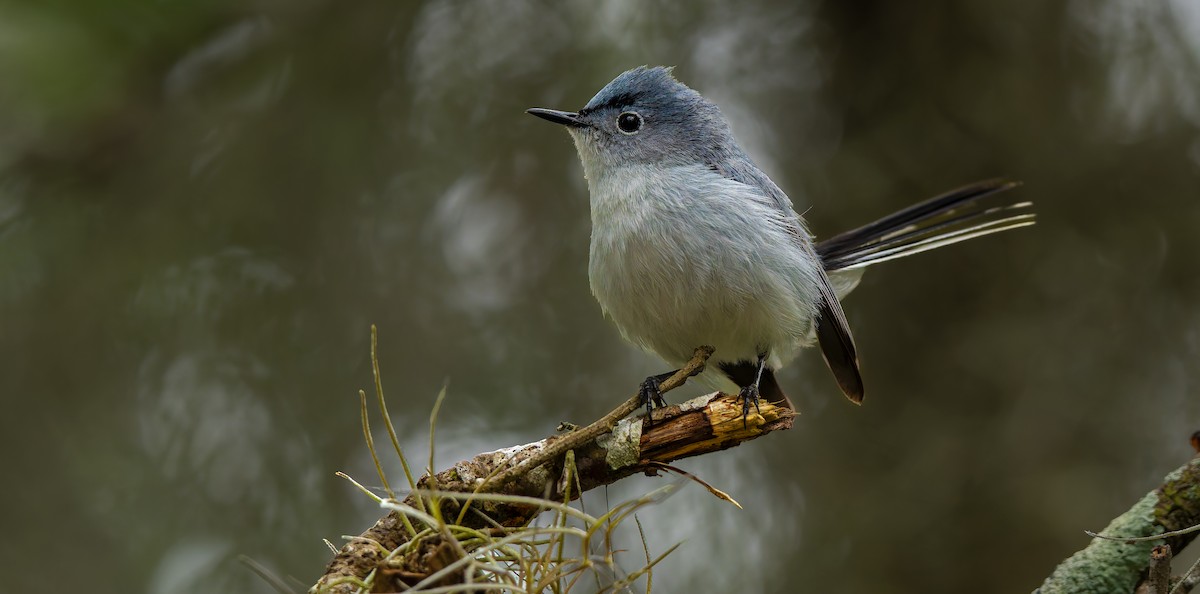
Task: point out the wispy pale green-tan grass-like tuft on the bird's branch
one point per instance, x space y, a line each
566 550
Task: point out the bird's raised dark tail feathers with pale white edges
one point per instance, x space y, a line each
949 219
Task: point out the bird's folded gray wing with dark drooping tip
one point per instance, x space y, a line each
833 331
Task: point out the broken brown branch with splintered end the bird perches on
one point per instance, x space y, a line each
605 452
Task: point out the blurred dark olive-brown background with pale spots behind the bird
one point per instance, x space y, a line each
205 206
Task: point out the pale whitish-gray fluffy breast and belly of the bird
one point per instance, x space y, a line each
685 257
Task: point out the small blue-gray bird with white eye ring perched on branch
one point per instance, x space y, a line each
692 244
